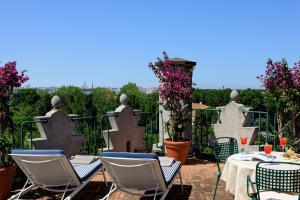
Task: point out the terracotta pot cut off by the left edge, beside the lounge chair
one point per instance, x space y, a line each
6 176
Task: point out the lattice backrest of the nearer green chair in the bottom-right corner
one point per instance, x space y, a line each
278 176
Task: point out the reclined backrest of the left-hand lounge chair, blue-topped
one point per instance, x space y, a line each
46 167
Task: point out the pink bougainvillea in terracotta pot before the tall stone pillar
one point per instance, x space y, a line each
176 94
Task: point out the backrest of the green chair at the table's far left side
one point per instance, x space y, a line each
225 147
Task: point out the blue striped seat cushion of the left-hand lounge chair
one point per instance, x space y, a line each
85 171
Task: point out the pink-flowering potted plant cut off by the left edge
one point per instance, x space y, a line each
9 79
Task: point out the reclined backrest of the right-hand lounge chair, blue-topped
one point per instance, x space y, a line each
140 171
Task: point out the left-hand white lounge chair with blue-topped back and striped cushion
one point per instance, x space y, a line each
52 171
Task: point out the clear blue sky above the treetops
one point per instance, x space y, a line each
111 42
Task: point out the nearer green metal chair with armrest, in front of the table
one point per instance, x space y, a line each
284 179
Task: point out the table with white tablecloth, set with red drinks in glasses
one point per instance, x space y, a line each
239 166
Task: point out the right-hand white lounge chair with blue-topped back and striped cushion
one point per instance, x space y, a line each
139 173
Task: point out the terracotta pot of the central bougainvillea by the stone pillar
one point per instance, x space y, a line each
178 150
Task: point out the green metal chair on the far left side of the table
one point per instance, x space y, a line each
223 148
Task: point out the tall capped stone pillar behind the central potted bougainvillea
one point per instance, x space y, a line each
164 116
